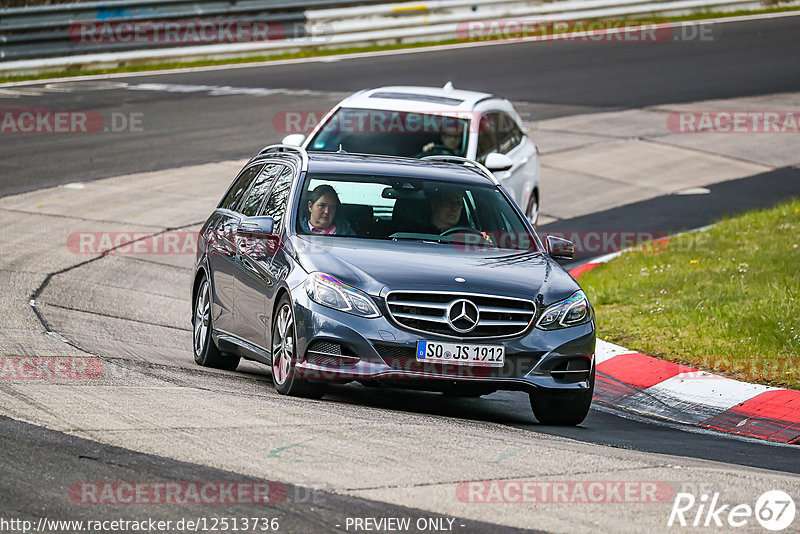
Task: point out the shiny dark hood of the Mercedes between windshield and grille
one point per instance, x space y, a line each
377 266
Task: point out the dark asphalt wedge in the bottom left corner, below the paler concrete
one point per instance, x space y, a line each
69 458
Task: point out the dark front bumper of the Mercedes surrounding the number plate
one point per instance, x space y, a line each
379 351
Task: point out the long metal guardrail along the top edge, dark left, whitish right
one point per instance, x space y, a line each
36 39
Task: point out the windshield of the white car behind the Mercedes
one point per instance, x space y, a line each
394 133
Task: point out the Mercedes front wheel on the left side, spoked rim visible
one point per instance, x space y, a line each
284 356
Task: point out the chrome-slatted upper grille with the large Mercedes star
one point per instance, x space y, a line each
427 312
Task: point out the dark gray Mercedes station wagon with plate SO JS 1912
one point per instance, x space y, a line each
393 272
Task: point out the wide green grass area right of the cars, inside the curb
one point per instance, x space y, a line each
726 300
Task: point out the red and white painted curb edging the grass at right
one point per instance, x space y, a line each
639 383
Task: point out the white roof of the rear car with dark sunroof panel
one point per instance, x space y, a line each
418 99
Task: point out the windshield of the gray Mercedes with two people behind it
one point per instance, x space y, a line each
397 208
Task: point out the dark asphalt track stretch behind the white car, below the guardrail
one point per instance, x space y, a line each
544 80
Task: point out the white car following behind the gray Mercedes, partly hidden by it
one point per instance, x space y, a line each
426 121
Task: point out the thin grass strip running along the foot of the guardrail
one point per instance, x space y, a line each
318 52
